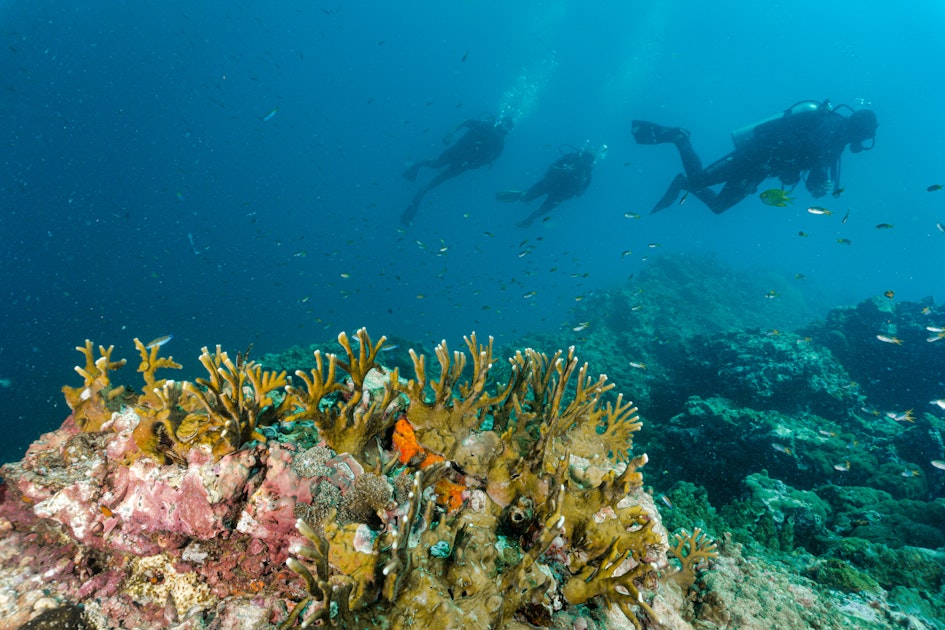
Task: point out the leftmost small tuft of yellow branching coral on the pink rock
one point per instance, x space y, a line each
93 403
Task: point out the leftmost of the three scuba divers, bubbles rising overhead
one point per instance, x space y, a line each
482 144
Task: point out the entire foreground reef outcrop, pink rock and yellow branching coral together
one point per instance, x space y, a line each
349 498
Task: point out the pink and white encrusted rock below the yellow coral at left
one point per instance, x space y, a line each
81 511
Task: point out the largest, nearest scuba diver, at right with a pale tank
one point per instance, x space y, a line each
808 137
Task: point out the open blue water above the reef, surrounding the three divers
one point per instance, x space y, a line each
145 188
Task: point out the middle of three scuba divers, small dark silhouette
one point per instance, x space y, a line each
568 177
